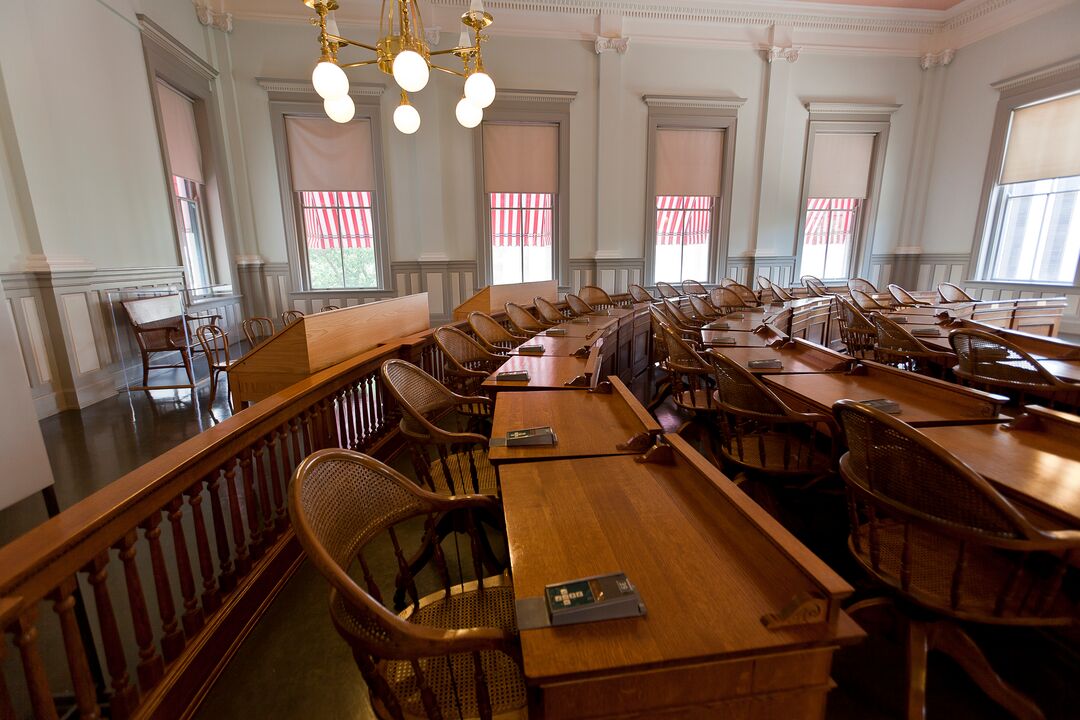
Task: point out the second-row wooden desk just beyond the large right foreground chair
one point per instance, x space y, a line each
924 402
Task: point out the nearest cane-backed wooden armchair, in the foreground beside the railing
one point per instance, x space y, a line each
452 654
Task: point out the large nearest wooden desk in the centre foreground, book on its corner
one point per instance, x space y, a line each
709 564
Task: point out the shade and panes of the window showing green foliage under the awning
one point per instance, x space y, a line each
333 182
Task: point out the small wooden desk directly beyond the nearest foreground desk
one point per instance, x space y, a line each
587 425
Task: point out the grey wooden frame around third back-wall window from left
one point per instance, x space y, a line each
693 114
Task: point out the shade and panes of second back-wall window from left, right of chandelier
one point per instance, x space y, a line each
521 184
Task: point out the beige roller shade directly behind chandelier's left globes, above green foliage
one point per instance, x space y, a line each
326 156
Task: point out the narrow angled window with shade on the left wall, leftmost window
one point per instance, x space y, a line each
187 187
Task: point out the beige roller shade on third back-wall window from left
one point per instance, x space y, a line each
688 162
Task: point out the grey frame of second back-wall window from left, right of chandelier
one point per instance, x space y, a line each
529 107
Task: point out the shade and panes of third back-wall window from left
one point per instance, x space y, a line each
686 189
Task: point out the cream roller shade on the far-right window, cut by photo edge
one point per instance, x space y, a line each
1044 142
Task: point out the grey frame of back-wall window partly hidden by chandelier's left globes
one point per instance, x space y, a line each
300 102
